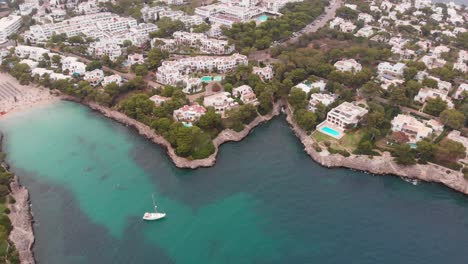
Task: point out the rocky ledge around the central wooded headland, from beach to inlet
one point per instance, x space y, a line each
225 136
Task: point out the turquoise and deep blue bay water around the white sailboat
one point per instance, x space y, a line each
265 201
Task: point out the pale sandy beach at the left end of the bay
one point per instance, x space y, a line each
16 97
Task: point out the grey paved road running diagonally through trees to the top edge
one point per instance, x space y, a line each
329 14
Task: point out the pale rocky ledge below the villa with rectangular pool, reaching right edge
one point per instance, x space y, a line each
382 165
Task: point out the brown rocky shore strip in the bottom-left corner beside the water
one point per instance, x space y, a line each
21 219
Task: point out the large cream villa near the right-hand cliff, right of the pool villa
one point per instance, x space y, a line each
411 127
